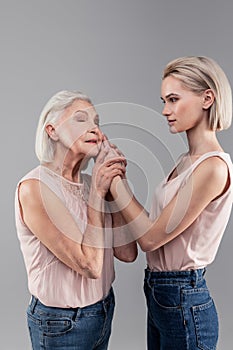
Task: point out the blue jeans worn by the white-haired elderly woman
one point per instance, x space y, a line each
86 328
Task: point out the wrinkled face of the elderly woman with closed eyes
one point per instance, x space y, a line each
78 128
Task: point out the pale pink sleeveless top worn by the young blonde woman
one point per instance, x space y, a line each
197 246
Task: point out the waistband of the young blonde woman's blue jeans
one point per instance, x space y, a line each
192 276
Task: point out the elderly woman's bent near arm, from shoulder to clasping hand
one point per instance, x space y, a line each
51 222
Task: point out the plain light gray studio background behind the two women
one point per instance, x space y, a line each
114 51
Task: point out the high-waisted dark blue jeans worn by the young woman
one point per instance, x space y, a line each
181 312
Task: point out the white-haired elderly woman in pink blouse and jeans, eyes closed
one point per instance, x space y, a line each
65 233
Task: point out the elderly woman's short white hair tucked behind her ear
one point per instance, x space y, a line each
44 145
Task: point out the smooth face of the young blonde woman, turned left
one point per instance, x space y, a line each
182 108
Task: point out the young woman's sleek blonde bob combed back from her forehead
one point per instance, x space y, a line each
199 73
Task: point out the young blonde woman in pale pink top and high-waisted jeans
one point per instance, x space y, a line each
190 209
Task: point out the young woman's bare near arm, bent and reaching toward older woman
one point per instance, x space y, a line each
208 181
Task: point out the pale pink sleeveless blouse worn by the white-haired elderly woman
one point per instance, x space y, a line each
50 280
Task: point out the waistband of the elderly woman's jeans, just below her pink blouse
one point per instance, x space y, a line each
76 310
